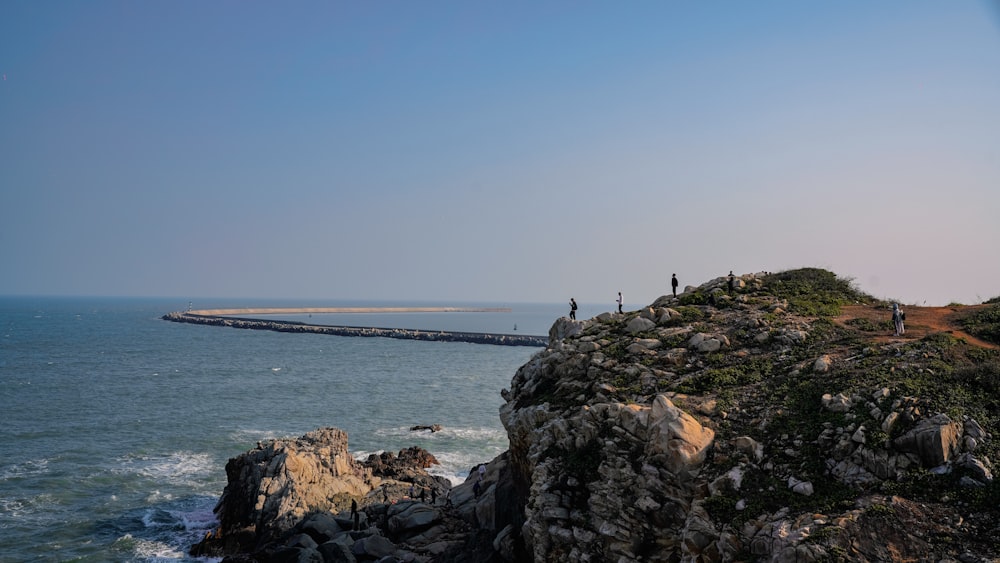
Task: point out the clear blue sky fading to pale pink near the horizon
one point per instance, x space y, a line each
497 151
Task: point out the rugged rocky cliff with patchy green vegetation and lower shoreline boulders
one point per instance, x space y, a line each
763 418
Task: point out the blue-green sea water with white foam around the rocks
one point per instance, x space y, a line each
117 425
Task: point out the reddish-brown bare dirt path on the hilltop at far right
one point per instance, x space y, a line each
920 321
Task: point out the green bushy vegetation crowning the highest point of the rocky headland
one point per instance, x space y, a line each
813 291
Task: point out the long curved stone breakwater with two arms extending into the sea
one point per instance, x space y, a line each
232 318
